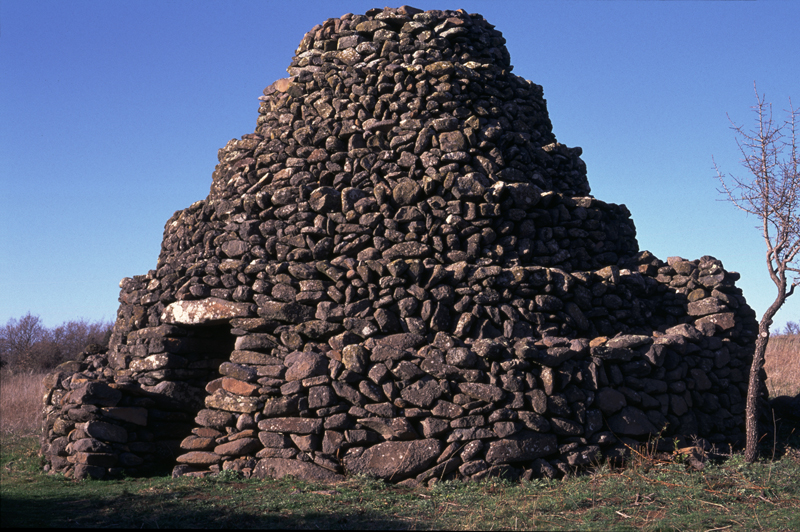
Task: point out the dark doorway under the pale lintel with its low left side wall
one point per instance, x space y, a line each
137 420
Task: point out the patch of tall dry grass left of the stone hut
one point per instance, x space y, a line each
20 403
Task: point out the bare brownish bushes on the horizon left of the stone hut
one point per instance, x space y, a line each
27 345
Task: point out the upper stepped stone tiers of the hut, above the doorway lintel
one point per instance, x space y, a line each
399 123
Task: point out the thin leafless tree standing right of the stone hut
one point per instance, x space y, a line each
771 192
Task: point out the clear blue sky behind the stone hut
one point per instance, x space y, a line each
112 112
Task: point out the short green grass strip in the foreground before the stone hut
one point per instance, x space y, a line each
650 494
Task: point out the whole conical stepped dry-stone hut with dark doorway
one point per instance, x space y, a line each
402 273
